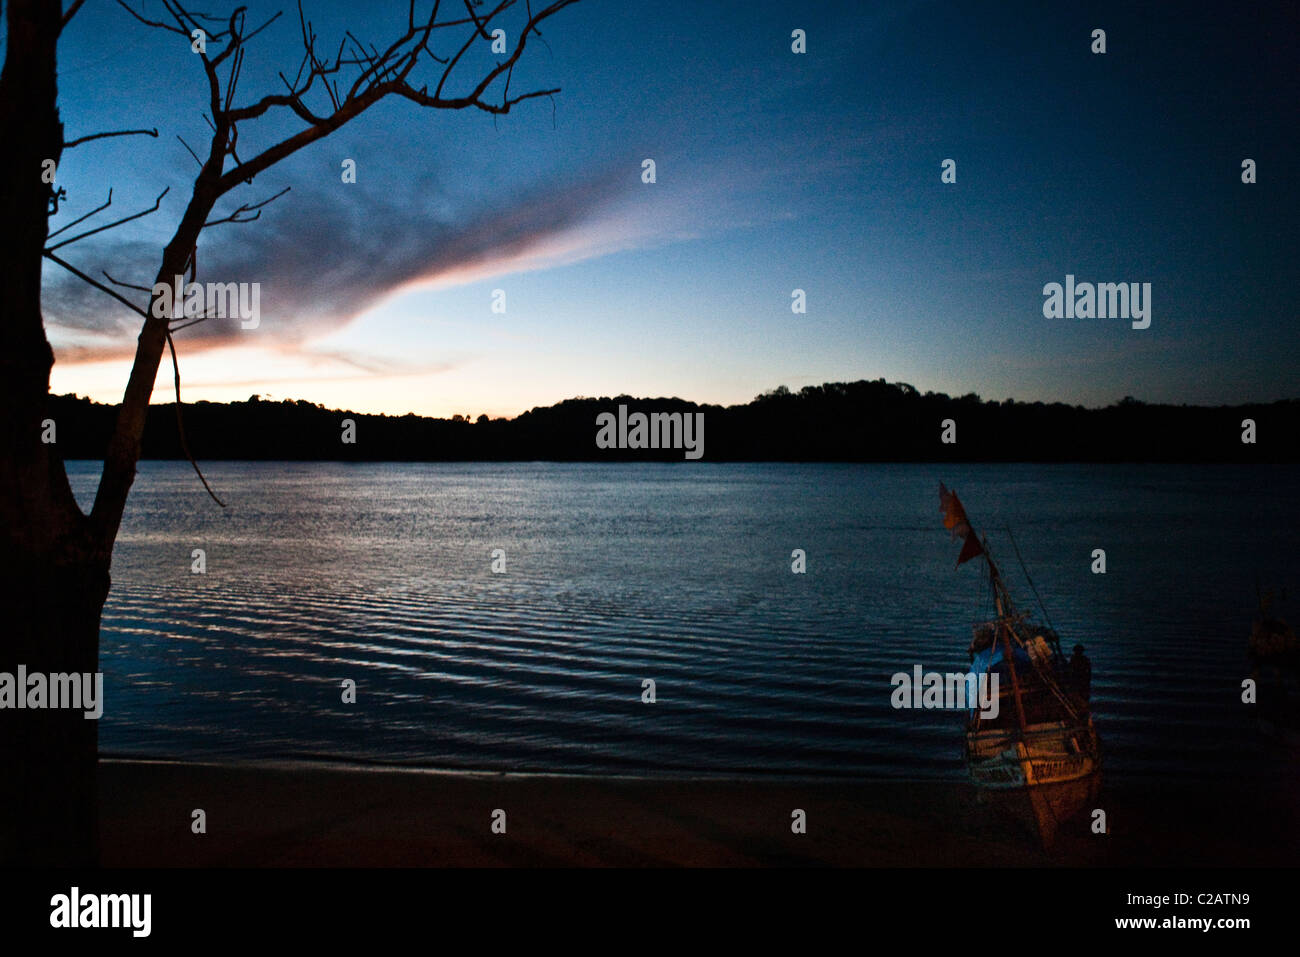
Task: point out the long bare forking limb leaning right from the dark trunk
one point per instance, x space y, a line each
375 73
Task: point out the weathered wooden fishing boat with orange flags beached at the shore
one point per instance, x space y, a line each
1042 744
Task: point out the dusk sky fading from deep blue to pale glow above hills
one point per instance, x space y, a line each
775 172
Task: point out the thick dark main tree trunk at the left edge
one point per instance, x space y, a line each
54 574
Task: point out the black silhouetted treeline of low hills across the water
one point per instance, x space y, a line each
840 422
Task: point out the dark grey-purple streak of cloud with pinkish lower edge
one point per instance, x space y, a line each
323 258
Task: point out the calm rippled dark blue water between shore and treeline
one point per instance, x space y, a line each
682 574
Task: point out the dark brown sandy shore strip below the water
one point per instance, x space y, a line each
348 817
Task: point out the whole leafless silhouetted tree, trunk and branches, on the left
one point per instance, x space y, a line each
54 558
